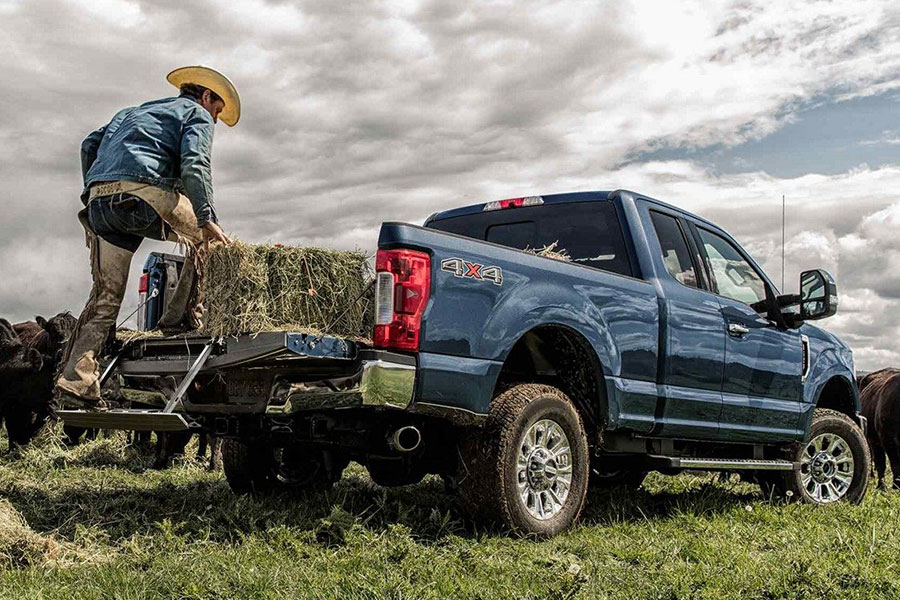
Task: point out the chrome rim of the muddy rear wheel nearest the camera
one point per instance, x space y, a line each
544 469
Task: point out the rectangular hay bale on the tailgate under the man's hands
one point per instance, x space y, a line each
249 288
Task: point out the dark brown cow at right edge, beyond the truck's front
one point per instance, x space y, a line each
880 400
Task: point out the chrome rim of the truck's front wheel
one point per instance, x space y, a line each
826 468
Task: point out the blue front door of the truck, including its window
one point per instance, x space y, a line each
761 387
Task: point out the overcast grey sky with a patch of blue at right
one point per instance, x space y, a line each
356 112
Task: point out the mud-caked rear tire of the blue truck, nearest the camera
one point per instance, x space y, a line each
490 473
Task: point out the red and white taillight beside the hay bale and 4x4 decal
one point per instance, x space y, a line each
402 285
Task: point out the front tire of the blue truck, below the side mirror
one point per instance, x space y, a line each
803 485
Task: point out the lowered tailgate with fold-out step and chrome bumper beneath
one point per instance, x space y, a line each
275 374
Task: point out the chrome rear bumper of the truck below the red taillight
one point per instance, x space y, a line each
382 379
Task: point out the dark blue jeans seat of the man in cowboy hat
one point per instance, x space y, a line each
124 221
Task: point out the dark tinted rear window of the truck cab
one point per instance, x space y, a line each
589 232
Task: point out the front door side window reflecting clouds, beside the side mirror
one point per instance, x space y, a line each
734 277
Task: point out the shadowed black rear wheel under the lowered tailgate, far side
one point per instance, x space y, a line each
256 467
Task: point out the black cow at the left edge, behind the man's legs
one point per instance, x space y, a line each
27 403
